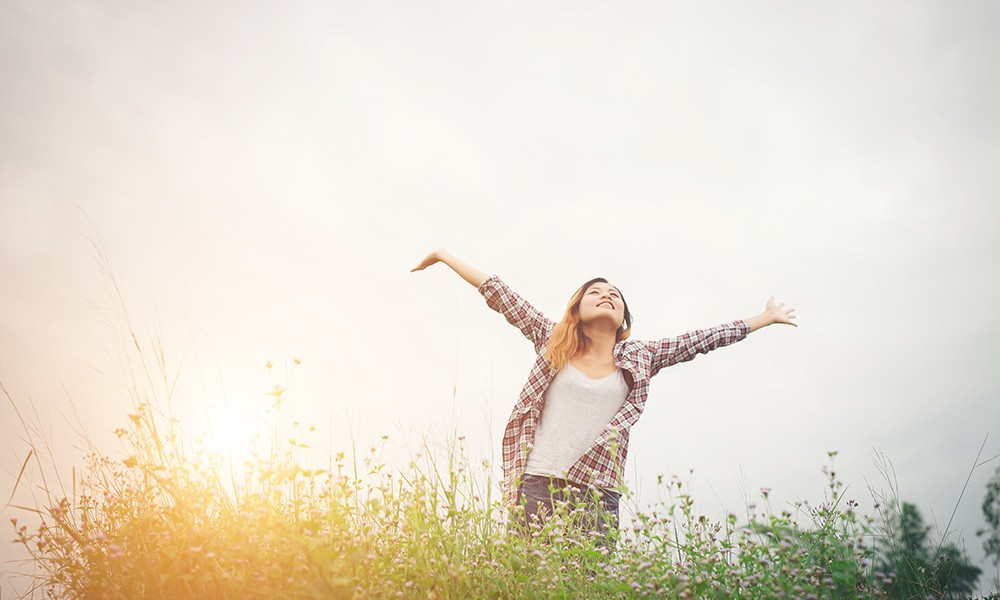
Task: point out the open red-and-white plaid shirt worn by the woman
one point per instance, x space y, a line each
603 464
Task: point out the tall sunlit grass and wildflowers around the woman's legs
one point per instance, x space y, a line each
168 522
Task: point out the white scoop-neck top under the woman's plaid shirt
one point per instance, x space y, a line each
576 411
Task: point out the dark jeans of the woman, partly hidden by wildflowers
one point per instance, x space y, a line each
540 495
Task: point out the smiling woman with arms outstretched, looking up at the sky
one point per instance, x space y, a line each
570 427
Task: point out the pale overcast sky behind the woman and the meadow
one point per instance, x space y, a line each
263 177
